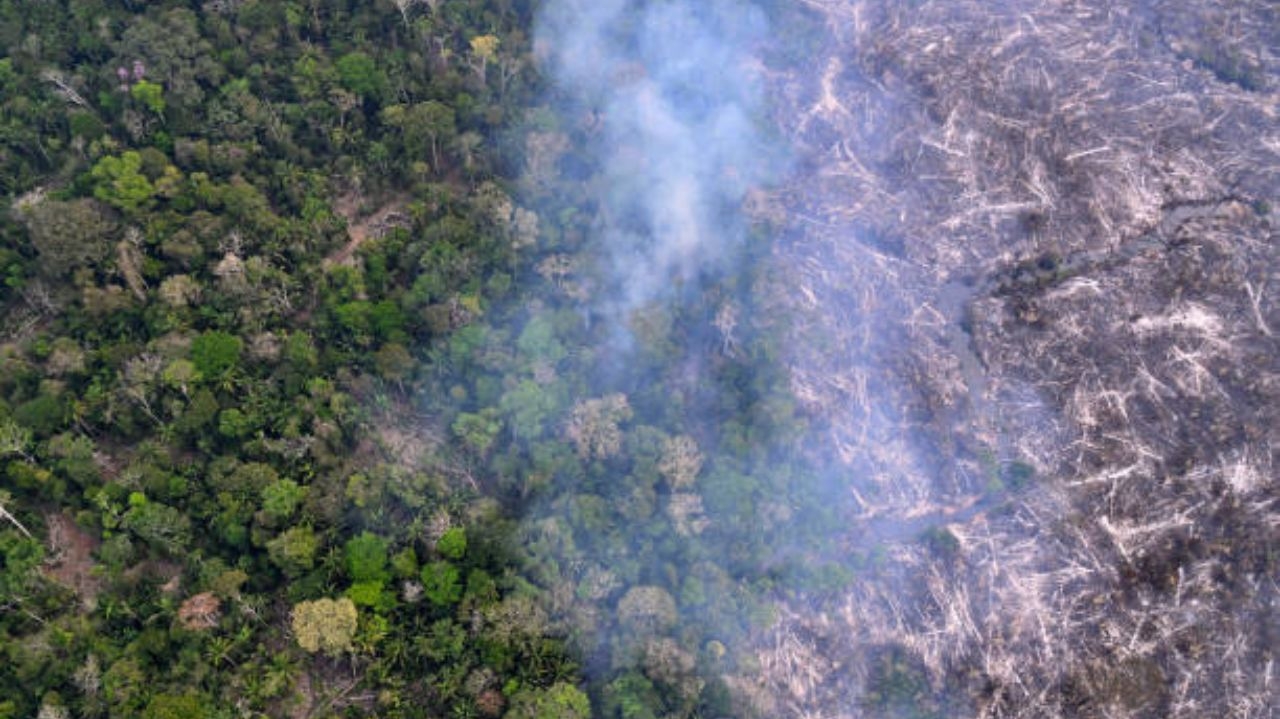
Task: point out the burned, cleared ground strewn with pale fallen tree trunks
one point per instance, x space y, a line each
1034 251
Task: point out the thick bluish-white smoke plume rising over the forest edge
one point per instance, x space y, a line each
679 144
